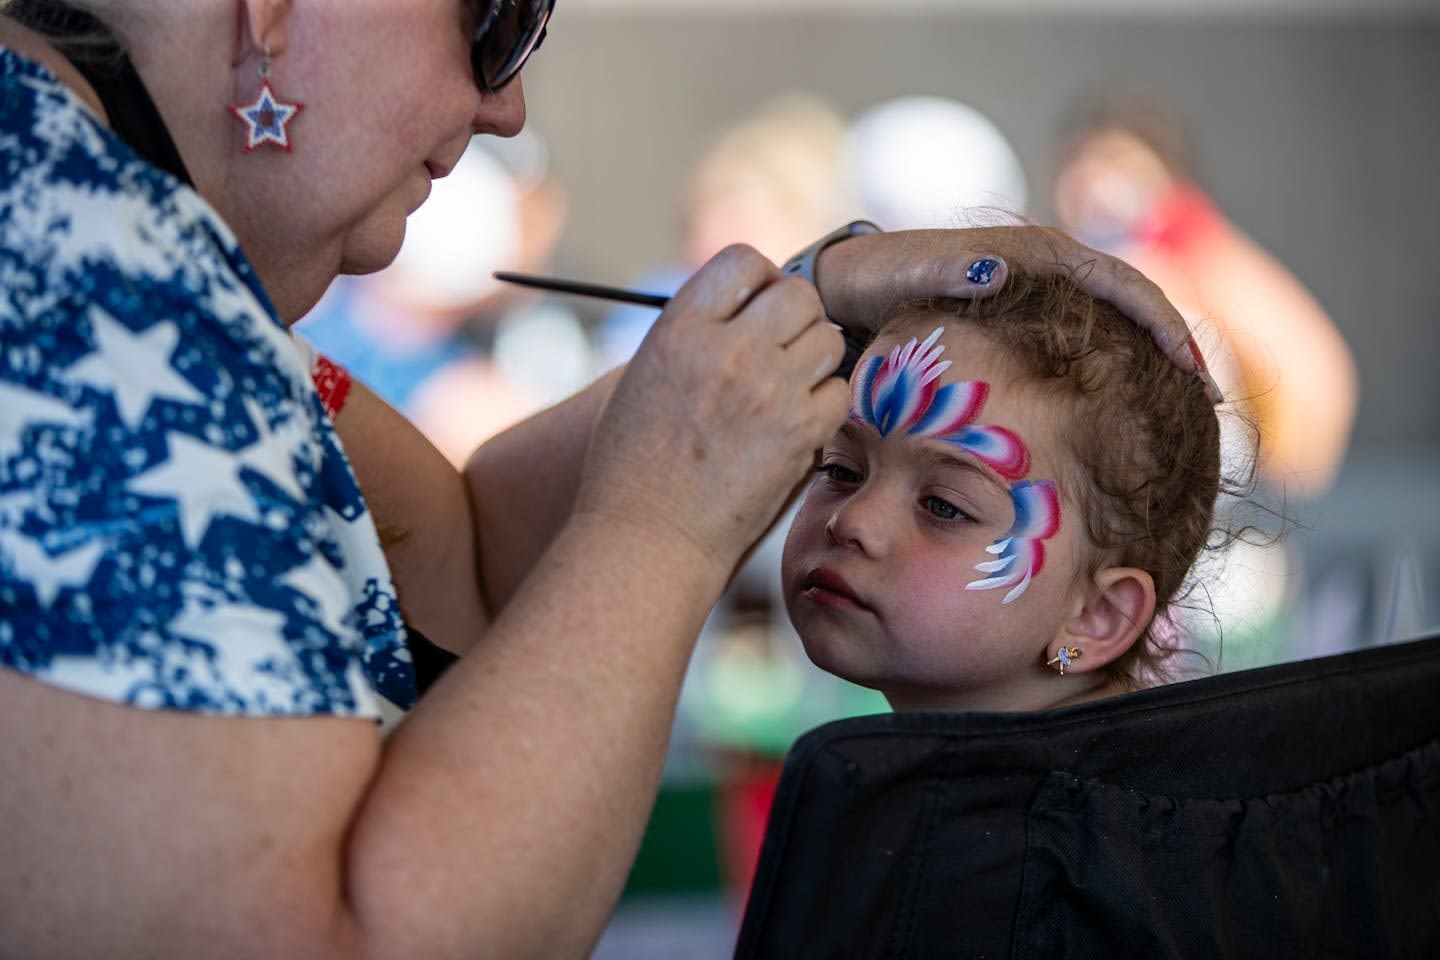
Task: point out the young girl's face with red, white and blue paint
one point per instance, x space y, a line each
937 555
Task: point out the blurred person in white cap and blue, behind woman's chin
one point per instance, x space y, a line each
462 355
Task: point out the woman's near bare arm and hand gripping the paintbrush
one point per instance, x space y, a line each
502 817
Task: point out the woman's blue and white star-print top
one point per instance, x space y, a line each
179 527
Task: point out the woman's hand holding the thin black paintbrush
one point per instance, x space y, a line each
722 409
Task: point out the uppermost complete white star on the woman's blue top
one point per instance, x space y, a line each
133 368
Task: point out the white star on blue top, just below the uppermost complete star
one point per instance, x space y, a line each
205 481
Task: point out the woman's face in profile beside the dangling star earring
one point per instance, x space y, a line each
390 104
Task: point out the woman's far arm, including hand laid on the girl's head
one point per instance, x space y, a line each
519 507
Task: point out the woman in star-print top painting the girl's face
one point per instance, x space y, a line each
179 527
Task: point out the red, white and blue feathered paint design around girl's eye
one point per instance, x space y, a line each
899 394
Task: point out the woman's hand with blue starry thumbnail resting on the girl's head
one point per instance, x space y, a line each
865 276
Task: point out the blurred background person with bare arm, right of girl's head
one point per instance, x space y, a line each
1127 185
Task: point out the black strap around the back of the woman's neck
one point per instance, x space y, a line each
96 53
